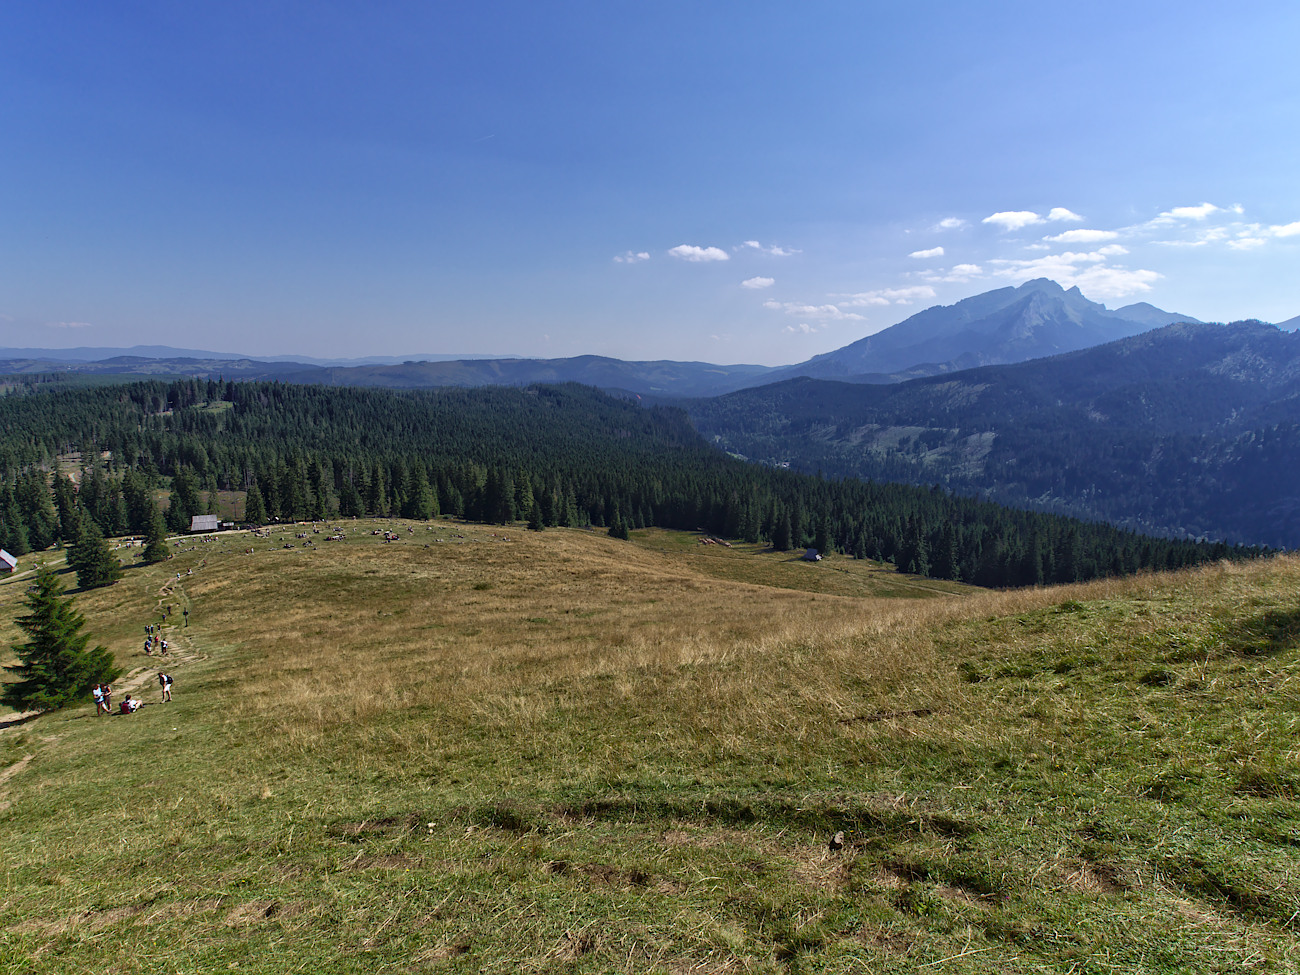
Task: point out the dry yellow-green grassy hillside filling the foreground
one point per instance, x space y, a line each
495 751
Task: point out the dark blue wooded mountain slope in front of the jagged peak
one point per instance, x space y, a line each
1190 430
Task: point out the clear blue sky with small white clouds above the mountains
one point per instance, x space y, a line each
733 183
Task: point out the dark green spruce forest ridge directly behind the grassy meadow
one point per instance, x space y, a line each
549 456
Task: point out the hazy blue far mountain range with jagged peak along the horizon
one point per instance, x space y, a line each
1008 326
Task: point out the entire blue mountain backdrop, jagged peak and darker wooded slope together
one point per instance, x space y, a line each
1032 396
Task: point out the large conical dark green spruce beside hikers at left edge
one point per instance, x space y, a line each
54 669
